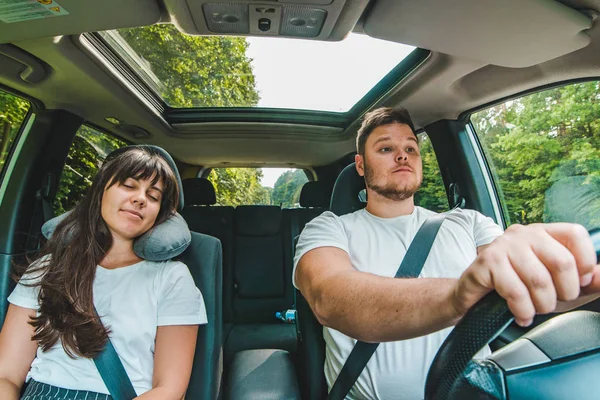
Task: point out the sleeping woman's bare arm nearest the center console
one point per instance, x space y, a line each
173 358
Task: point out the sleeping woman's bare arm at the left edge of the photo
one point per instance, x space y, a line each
17 351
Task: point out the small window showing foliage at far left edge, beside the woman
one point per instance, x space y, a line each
13 111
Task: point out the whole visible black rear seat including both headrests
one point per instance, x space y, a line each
257 262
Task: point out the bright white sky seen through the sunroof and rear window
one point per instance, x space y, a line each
306 74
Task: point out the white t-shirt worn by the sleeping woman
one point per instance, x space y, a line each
132 301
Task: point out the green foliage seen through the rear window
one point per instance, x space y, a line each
237 186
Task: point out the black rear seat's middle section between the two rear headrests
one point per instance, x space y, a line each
262 282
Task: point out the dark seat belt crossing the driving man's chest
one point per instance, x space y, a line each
411 267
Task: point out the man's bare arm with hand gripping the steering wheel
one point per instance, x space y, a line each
533 267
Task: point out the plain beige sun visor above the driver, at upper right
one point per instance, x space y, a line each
508 33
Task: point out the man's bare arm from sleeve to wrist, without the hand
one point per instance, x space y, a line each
369 307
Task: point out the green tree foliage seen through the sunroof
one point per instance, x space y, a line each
196 71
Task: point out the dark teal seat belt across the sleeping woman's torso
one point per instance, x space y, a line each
113 373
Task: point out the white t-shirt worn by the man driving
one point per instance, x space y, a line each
377 245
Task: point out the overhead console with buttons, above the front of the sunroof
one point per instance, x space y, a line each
308 19
